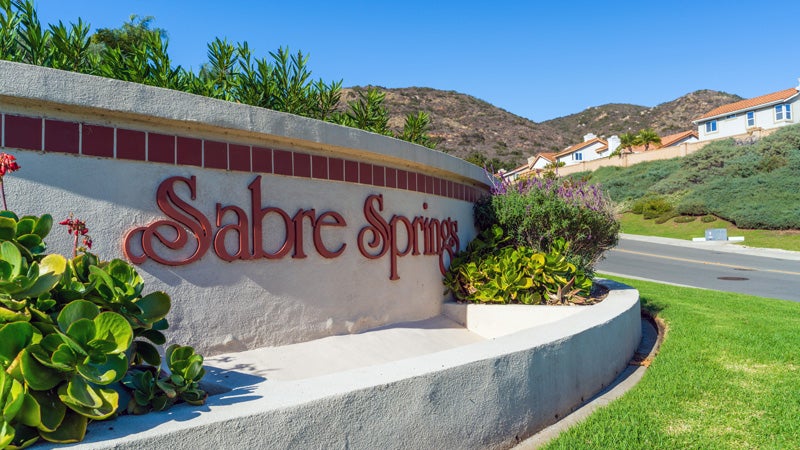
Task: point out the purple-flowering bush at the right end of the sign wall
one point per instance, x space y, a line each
536 212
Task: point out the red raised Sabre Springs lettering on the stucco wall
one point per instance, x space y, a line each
188 228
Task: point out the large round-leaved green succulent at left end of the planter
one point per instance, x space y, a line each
70 330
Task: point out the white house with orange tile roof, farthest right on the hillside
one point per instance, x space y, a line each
759 113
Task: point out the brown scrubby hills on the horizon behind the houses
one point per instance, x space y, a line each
463 125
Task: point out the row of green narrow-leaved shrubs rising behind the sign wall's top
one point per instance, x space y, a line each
137 53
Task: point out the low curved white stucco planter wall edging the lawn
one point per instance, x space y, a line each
478 396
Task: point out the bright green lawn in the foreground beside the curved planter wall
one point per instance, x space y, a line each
725 377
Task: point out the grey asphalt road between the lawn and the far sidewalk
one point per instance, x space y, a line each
718 266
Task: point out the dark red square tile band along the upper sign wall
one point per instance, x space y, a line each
96 140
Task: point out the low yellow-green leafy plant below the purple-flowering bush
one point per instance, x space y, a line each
489 272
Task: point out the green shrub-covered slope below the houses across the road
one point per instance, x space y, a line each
754 184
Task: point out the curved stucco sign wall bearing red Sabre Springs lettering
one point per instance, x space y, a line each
265 228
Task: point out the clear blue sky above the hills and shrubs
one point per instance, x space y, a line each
536 59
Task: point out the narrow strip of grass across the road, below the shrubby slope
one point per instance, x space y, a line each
785 239
